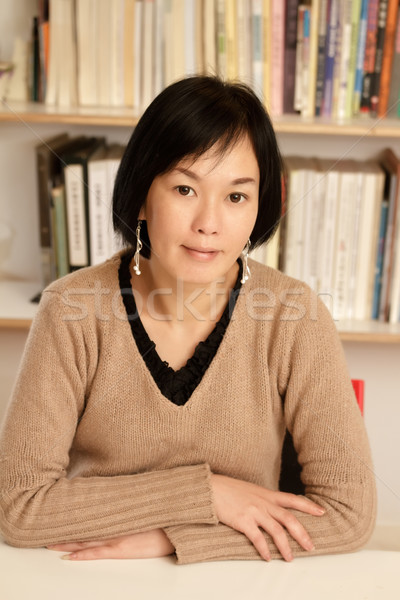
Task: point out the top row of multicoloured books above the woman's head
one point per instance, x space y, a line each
335 58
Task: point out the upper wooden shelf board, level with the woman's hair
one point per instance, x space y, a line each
125 117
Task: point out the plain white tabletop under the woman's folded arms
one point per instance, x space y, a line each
41 574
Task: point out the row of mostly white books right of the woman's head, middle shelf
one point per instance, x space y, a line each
340 233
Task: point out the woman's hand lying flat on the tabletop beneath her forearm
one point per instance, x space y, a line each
149 544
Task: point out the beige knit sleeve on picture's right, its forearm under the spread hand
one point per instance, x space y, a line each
330 438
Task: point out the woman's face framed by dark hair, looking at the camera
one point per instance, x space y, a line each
201 214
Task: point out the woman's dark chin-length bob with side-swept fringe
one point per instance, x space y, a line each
185 120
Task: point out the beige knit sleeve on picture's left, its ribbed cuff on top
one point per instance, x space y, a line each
39 503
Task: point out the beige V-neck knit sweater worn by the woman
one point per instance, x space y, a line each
91 449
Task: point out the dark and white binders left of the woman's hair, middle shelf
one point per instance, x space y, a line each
75 182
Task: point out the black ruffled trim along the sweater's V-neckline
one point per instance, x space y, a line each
179 385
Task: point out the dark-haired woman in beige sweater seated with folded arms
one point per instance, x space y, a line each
155 391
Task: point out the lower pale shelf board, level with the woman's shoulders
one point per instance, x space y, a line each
17 312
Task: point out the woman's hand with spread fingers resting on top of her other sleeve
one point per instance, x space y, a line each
247 507
